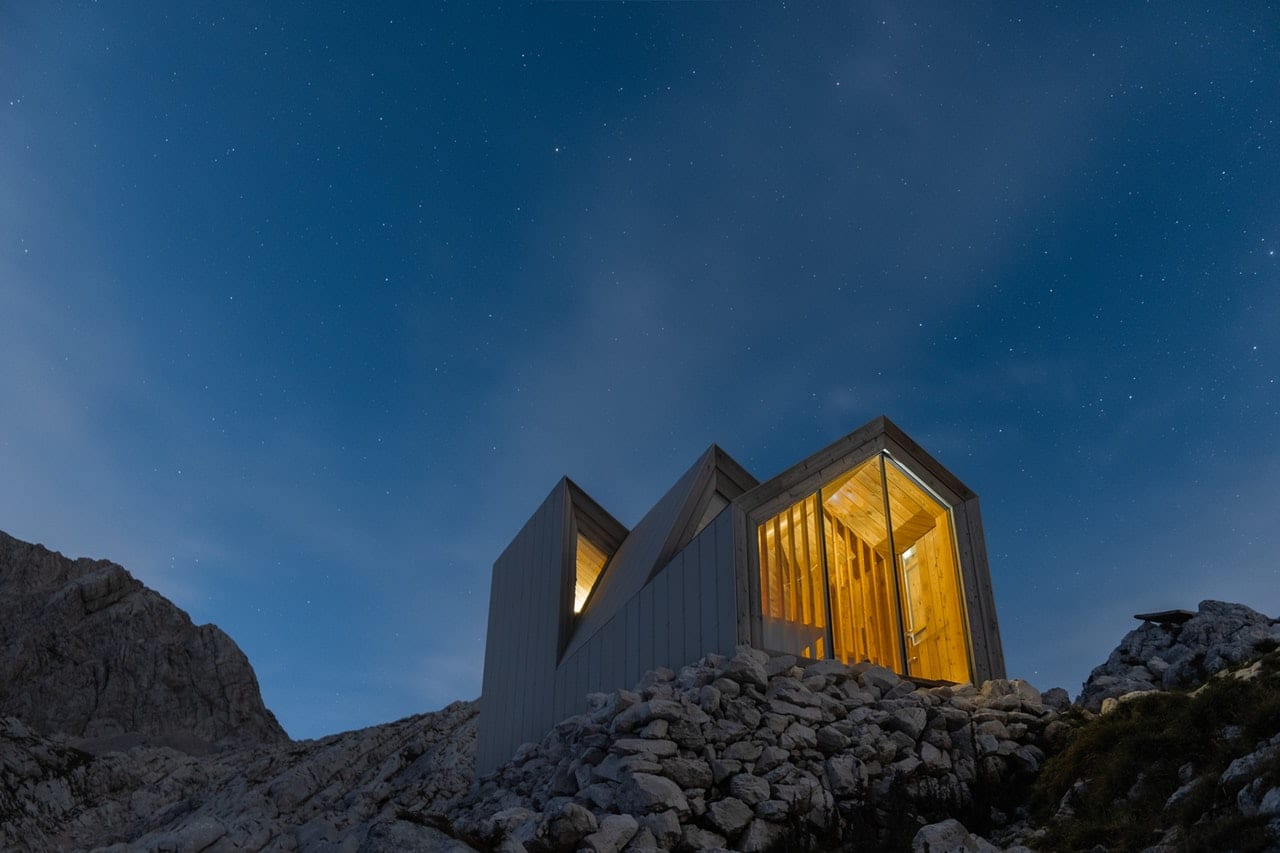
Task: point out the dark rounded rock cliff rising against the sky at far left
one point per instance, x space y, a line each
88 651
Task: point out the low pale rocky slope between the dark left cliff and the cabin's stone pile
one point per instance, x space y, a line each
359 791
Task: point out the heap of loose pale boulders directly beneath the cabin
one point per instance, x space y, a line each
766 752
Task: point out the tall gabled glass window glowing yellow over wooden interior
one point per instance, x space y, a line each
872 553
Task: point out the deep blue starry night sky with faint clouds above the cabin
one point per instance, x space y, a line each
304 309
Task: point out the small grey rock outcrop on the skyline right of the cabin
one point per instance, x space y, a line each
1165 658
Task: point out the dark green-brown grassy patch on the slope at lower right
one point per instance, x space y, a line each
1122 770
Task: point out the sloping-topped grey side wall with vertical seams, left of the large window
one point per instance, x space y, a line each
687 612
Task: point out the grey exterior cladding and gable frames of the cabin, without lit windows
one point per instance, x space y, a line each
682 585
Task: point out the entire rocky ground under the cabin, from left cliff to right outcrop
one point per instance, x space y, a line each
1173 745
